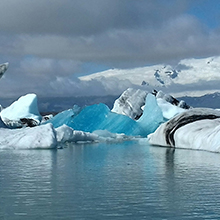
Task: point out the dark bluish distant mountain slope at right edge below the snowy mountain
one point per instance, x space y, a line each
207 101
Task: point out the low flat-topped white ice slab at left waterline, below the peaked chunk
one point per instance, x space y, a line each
25 138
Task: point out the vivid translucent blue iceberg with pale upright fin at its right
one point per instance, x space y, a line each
100 117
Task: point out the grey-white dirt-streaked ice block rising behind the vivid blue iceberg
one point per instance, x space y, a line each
130 103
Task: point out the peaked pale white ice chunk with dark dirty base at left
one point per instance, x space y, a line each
23 112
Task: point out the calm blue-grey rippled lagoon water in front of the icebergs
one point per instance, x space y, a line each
127 180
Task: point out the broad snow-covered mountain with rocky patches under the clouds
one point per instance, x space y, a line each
188 77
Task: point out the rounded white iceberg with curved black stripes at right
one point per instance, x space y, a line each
197 128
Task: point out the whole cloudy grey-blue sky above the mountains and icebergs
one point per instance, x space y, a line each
50 43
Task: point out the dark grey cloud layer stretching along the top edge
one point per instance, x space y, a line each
82 17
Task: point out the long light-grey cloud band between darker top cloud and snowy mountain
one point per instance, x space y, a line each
175 39
